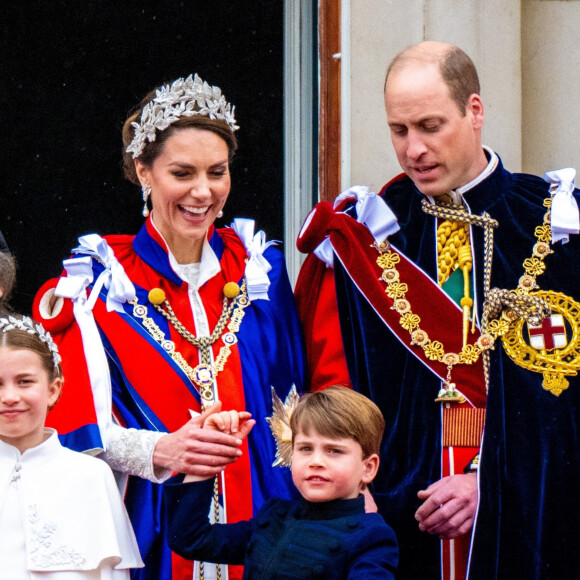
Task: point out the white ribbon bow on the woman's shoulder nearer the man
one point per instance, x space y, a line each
257 267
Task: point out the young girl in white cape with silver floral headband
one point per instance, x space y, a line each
61 515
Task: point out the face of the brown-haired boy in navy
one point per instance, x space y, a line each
324 469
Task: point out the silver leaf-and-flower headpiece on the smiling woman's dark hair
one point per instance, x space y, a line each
183 98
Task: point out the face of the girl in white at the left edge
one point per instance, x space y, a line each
25 395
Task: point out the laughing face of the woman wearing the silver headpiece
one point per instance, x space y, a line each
190 183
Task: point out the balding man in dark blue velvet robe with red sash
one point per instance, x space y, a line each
527 504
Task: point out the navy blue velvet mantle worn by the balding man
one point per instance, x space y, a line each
530 468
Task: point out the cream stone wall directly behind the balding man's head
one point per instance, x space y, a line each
488 30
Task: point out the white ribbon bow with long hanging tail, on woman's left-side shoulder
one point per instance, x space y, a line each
74 286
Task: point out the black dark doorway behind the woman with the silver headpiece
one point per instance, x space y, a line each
70 71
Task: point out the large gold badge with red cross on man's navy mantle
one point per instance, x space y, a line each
551 347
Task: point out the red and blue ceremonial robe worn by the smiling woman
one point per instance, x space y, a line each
151 391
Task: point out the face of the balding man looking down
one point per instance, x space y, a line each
438 147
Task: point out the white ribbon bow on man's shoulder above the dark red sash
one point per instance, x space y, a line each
371 211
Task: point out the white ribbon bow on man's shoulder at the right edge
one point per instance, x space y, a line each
564 211
